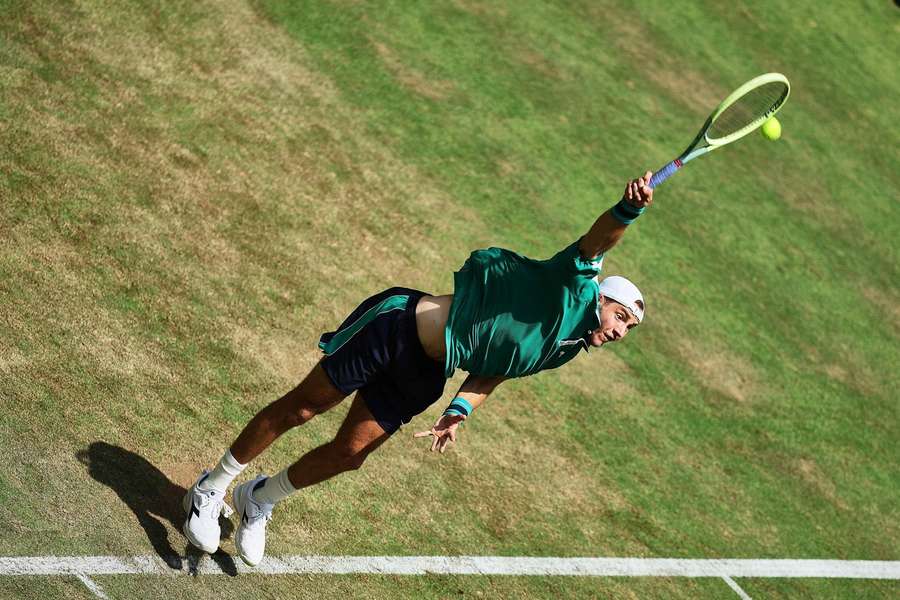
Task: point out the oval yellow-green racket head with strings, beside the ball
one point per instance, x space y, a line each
746 109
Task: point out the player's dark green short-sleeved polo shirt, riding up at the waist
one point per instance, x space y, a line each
514 316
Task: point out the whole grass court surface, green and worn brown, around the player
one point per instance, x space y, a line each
191 194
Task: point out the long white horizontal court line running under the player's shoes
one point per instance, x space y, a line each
463 565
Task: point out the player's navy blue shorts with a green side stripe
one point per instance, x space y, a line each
377 351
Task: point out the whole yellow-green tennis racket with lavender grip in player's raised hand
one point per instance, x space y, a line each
743 111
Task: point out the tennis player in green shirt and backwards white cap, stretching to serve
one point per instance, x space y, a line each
509 316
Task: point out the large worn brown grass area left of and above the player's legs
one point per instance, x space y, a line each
188 185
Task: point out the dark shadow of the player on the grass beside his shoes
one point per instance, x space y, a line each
153 498
